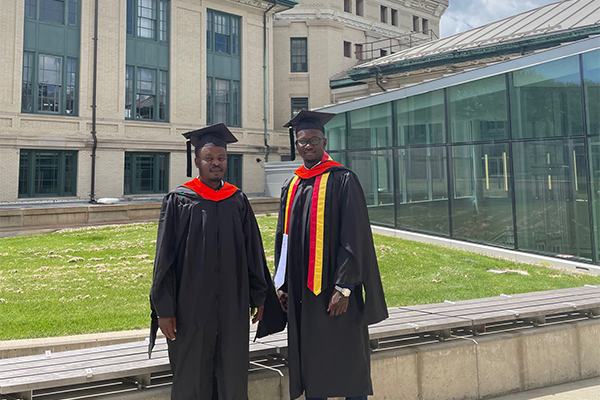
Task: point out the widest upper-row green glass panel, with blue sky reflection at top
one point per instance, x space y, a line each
546 100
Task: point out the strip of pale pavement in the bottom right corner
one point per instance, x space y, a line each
587 389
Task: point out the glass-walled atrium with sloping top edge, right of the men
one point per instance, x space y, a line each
507 155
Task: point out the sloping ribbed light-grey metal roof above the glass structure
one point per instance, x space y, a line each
549 20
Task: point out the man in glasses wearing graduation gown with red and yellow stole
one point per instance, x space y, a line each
327 271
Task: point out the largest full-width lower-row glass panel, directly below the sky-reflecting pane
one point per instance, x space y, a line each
551 198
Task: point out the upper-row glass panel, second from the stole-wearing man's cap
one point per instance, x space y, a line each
371 127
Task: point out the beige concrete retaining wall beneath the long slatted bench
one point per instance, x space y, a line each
488 366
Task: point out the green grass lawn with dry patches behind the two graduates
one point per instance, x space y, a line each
97 279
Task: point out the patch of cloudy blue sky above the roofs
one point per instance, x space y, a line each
463 15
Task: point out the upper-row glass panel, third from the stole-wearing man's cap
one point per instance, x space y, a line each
420 119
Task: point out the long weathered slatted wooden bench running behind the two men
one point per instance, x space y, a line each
126 367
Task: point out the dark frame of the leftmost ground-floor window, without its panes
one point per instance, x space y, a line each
31 181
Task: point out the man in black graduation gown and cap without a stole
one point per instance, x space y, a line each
209 270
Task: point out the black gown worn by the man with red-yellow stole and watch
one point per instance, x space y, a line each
330 356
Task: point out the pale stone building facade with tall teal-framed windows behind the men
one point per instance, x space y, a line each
164 67
